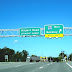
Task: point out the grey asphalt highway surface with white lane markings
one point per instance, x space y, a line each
36 67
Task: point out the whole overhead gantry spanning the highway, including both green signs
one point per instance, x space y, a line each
23 32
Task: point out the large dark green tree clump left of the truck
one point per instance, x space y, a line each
12 55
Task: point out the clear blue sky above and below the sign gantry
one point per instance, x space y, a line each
15 14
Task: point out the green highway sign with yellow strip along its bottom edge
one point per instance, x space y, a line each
53 30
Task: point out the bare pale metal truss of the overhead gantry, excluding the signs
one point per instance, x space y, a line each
15 32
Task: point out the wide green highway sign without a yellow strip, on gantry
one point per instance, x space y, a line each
30 31
